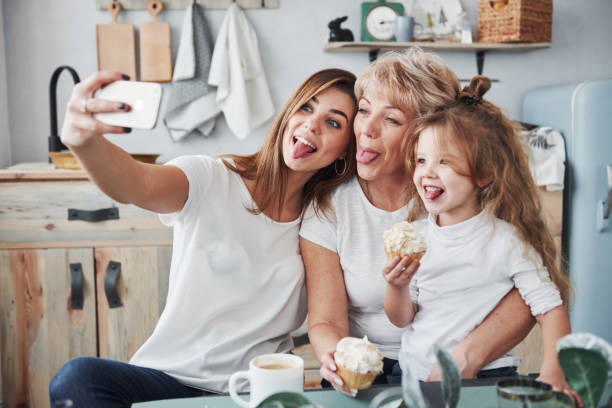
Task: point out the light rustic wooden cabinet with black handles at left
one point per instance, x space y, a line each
40 330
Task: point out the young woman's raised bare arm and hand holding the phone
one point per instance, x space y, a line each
157 188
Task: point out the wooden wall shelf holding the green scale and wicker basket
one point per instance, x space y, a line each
480 48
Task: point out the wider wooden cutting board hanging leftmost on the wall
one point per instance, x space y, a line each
116 49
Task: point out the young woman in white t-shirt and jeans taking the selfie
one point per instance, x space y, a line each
237 279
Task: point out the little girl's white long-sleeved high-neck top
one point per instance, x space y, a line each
467 270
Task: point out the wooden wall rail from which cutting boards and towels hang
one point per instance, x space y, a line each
182 4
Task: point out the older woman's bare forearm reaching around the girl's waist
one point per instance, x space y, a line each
505 327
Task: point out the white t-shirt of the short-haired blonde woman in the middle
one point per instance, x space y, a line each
357 238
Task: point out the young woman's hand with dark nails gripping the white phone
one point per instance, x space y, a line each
80 126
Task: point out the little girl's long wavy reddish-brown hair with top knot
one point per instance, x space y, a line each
496 153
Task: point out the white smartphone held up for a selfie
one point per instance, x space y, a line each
143 97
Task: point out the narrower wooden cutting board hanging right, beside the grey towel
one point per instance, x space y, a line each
155 49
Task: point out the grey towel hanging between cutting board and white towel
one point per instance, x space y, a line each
192 104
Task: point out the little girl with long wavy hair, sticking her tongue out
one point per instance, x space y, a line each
485 234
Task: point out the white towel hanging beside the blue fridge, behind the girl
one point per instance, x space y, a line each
547 158
